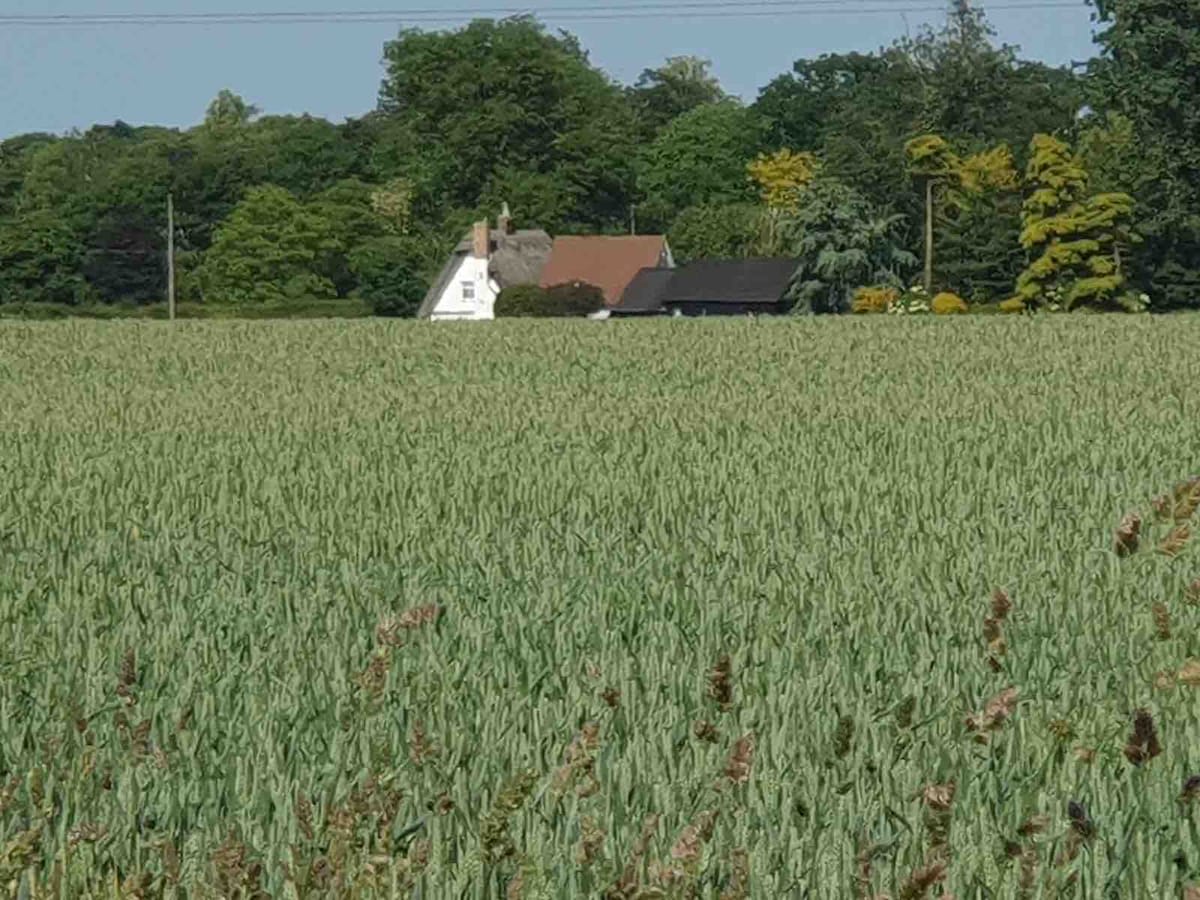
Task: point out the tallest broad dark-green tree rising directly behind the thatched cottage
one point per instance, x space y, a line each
501 97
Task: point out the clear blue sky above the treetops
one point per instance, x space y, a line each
63 79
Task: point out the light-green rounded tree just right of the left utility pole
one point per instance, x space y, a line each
272 249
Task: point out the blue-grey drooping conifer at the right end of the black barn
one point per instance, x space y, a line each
842 244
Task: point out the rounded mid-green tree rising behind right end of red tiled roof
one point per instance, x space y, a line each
700 159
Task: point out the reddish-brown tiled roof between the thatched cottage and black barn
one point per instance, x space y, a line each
608 263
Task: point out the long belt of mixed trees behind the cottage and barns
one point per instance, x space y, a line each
944 160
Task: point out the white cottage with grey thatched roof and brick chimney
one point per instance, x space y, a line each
482 267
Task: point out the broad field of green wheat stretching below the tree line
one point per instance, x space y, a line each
626 610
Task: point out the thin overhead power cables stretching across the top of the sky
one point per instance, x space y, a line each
601 13
